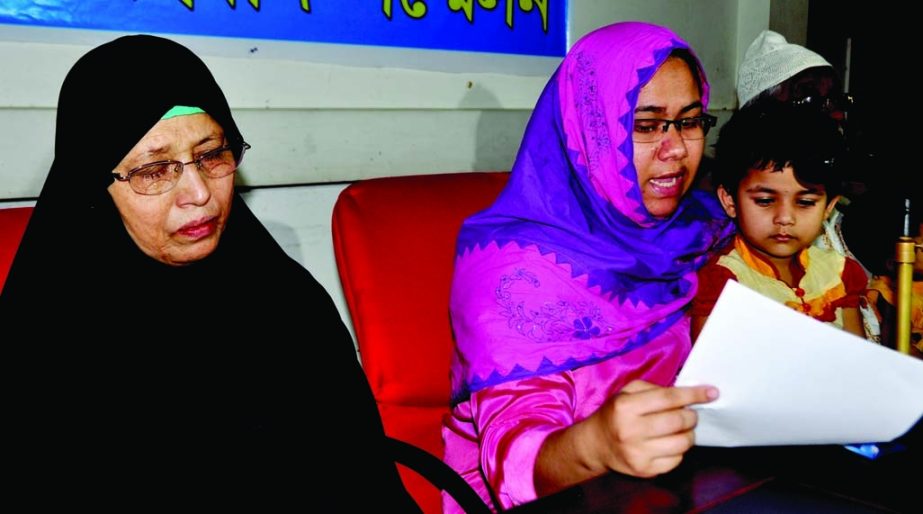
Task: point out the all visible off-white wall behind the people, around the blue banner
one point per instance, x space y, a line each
319 116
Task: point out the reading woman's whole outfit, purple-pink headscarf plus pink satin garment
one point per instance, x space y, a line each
567 288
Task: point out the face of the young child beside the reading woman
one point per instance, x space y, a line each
775 214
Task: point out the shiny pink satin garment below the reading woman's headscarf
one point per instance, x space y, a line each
517 416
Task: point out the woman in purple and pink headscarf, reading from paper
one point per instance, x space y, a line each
570 292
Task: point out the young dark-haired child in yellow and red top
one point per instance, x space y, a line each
778 175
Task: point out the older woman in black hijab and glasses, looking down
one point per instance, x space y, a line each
192 346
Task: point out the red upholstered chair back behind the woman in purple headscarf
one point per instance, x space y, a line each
394 240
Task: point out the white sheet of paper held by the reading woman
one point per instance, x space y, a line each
785 378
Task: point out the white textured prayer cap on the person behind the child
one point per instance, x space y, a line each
769 61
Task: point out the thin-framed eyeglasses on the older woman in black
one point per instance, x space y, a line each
156 178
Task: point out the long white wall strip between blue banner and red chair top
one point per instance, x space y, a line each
309 120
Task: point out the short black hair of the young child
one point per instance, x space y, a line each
781 135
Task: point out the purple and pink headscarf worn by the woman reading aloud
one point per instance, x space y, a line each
567 267
